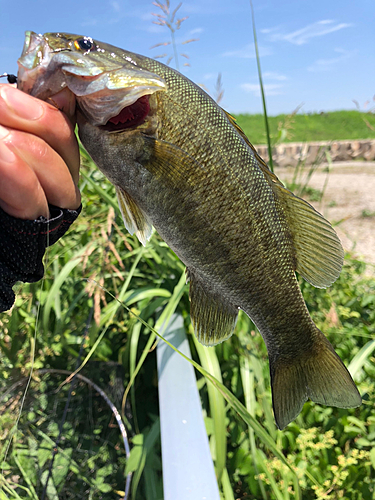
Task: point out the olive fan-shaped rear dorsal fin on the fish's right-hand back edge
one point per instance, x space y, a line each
318 250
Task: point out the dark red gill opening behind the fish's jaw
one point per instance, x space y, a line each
130 116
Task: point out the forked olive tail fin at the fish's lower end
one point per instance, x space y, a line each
318 374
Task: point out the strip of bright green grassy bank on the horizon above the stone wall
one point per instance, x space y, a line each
336 125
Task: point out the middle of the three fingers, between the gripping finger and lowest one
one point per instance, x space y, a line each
50 169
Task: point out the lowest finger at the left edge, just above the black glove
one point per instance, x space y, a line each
21 194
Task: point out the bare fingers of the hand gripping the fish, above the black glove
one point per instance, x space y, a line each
39 155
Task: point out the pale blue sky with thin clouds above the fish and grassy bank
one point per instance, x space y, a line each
319 53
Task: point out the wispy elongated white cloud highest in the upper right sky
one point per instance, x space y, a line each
302 36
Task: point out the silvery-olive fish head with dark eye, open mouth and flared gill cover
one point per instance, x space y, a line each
109 85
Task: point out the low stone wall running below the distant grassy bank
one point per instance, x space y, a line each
289 154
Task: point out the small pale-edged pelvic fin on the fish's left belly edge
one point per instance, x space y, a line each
135 219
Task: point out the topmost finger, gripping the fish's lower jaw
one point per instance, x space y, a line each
23 112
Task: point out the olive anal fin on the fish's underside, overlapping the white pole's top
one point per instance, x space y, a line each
212 317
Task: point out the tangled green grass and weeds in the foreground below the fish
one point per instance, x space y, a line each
330 449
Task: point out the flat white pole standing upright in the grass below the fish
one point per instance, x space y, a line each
188 471
